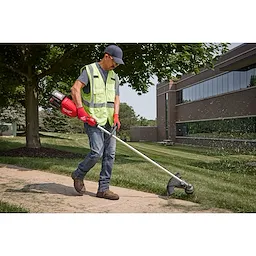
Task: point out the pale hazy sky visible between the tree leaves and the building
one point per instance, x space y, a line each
145 104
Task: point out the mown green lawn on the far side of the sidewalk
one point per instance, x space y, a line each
221 179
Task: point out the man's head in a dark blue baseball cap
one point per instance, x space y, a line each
113 57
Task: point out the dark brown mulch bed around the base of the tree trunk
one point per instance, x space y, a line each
39 152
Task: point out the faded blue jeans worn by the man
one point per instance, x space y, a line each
101 146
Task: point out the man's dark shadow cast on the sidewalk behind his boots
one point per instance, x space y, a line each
51 188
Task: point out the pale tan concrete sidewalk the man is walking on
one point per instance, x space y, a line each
41 192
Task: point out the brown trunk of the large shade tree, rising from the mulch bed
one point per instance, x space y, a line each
32 119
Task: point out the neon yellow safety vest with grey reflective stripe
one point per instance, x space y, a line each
99 103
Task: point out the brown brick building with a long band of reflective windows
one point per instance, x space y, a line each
216 107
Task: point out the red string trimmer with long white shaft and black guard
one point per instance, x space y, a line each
67 107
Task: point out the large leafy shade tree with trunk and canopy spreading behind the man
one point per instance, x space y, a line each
29 72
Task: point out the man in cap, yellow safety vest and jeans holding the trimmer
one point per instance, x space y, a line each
96 96
